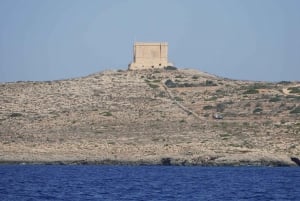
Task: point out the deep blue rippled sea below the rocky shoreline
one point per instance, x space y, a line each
87 182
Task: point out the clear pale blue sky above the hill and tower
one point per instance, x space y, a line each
241 39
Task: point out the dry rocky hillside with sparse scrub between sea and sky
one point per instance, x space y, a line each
158 116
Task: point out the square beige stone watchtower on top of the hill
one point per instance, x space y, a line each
149 55
